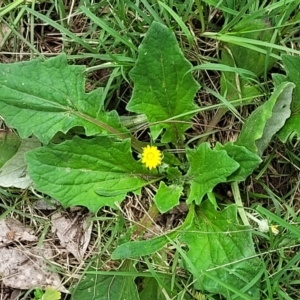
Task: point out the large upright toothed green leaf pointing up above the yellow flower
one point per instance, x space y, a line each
163 86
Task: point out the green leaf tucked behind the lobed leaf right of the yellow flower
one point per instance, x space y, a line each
247 160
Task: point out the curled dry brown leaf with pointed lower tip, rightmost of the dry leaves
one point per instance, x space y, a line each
73 234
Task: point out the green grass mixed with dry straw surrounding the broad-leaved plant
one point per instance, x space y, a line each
105 37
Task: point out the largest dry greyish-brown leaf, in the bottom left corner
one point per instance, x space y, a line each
27 268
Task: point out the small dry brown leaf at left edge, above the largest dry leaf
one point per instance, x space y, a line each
13 230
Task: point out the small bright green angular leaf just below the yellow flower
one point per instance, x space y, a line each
167 196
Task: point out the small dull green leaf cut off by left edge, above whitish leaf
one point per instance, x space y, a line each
9 145
